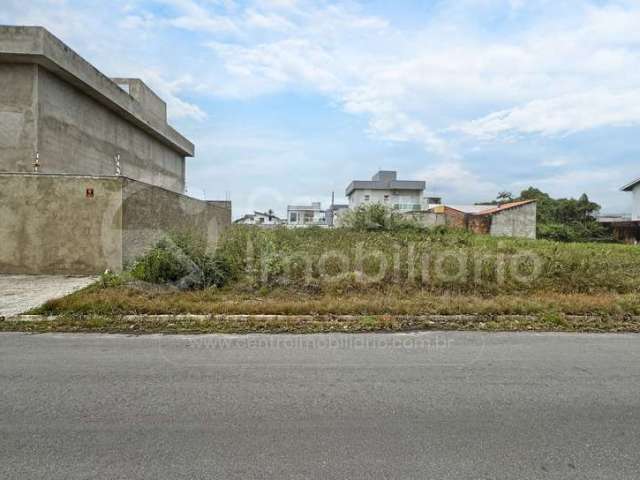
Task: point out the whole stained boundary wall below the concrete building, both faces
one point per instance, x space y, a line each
68 224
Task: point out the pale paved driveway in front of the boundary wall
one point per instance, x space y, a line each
19 293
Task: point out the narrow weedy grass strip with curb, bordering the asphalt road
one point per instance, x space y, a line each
323 323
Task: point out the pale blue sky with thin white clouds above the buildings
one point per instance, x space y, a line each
290 100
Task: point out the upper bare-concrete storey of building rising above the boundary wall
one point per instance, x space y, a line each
60 115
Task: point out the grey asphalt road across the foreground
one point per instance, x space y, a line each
423 406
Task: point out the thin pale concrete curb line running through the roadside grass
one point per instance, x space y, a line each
335 318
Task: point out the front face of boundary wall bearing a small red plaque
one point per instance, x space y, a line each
48 224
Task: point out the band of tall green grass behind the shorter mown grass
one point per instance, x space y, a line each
437 260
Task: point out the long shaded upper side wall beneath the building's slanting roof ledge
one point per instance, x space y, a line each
79 136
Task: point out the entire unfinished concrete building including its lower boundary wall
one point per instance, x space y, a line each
91 174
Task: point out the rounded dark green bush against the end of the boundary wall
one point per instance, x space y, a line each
182 260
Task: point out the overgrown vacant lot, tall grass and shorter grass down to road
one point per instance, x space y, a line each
386 280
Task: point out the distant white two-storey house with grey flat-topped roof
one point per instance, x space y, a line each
385 188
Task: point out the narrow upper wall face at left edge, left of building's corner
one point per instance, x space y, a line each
18 117
